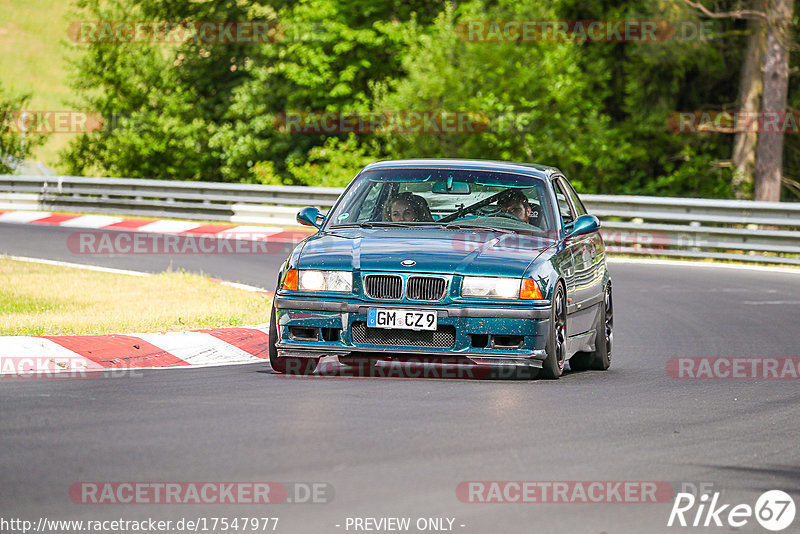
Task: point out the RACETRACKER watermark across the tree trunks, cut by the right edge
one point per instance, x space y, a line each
733 122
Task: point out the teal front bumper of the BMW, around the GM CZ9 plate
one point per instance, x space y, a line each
340 327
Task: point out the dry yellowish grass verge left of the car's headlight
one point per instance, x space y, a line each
38 299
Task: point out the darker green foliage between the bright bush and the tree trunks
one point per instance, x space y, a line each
644 82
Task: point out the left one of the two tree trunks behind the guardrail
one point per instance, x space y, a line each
751 83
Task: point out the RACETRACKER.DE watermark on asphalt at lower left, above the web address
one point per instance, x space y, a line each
138 492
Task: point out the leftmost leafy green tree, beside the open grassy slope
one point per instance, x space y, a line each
162 102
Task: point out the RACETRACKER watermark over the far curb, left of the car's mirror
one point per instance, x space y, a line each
120 242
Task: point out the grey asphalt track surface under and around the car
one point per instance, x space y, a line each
400 447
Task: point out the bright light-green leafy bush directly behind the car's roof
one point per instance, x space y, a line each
545 110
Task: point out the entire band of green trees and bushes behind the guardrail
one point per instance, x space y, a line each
597 110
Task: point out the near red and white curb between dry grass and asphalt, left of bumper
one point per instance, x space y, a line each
28 355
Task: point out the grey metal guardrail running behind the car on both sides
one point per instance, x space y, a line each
688 227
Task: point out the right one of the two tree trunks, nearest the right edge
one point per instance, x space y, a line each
769 156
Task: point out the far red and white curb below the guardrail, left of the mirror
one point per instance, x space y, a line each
164 226
